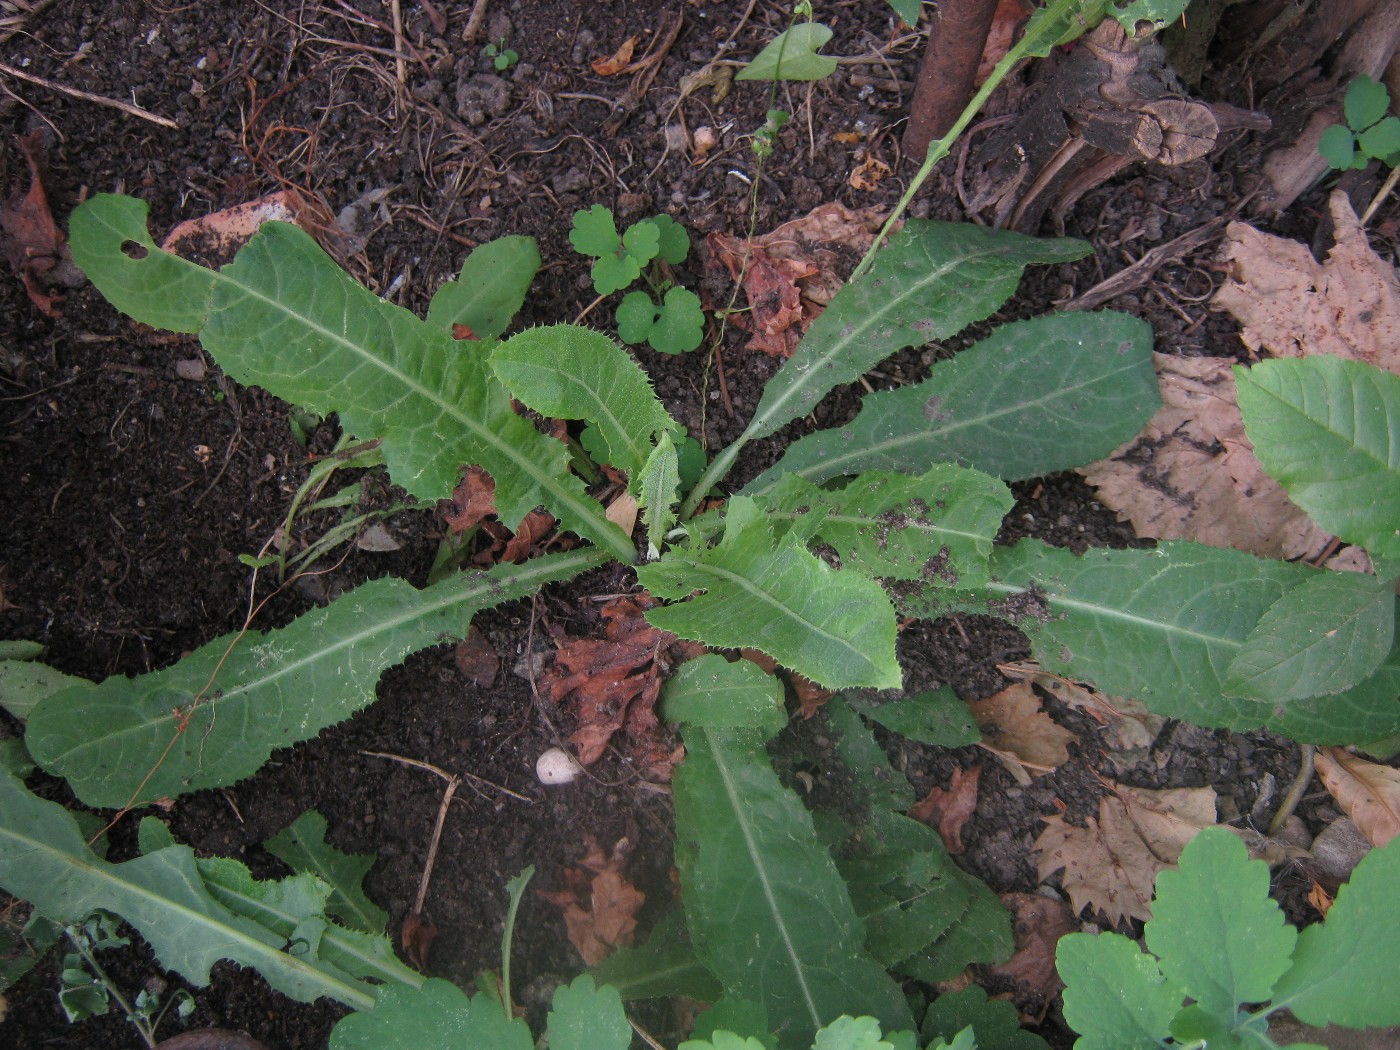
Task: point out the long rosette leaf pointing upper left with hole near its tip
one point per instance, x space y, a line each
286 318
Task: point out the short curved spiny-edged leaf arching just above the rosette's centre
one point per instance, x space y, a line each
570 372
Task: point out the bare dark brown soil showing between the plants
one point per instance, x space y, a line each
131 492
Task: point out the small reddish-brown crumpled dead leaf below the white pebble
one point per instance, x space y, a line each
600 904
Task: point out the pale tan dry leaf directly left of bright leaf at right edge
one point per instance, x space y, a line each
1193 475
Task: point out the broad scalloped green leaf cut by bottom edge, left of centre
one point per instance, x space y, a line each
437 1016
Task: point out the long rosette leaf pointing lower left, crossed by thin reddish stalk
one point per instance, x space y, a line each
120 741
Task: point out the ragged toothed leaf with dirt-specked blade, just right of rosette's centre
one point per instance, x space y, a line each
937 527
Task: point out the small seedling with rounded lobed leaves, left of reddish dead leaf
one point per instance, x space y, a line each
670 318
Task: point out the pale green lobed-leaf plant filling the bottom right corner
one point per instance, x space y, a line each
1221 960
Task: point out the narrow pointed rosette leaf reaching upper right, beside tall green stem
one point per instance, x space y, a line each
930 282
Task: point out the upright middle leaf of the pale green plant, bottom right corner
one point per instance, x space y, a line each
1217 933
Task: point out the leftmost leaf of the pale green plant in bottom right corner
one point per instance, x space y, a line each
1115 995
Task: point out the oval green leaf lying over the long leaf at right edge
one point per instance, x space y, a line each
1325 636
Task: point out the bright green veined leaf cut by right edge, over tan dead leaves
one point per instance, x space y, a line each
1329 433
